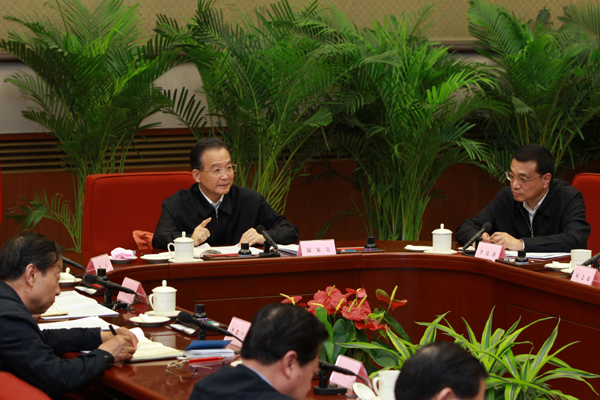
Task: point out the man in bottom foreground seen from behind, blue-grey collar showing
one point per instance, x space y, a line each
280 356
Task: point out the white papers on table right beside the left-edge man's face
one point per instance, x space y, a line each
78 306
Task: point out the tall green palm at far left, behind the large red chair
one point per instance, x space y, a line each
92 87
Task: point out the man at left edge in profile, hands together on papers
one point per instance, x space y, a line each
30 267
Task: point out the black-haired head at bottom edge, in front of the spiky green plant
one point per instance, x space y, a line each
441 371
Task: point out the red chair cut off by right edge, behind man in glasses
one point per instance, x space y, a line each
589 186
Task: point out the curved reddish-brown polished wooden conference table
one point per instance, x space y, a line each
433 284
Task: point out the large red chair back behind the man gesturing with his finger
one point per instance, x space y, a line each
117 204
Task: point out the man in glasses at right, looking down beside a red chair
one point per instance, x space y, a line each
536 213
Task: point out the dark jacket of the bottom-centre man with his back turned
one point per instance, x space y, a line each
239 383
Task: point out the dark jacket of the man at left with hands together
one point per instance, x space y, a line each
34 356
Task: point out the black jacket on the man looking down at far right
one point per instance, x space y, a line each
558 225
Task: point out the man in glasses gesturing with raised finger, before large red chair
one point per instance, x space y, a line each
215 210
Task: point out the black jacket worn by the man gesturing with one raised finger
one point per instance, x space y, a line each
240 210
